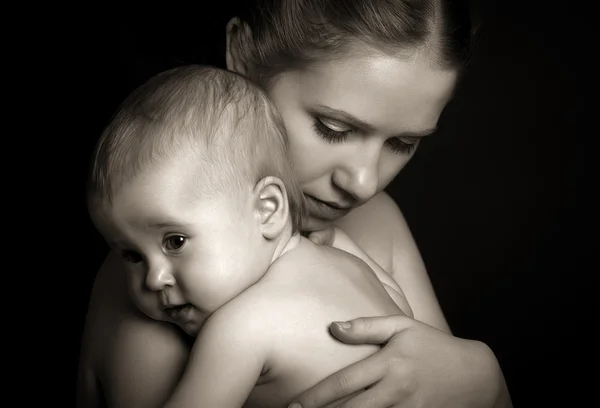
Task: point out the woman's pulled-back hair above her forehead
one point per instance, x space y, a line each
288 34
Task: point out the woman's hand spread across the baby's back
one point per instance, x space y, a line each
419 366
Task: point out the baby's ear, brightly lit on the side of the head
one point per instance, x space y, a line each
271 206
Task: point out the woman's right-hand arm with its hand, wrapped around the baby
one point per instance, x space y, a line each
419 365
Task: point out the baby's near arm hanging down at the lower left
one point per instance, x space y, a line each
227 359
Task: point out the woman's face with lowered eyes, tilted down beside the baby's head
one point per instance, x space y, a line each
354 123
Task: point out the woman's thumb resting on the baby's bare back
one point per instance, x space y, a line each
374 330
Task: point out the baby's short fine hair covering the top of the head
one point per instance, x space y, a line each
213 118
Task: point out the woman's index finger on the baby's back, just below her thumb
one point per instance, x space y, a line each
338 385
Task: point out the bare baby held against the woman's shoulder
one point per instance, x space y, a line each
190 183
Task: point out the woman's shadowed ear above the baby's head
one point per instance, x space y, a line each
238 41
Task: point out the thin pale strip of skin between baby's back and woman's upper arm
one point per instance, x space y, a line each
340 240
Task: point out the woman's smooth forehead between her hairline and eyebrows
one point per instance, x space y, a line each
402 94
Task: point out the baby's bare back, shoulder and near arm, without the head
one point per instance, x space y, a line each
259 331
